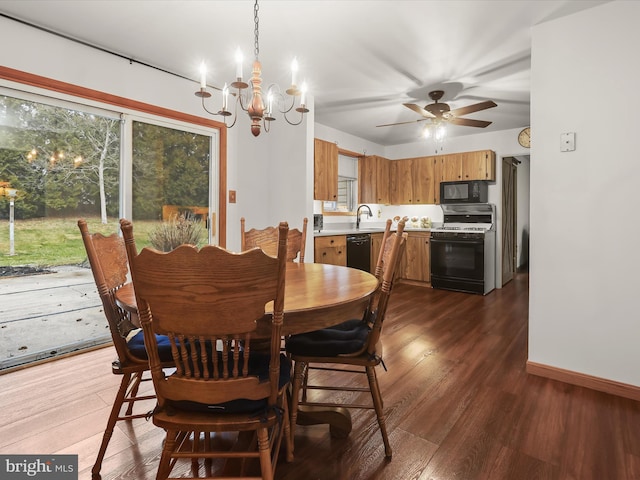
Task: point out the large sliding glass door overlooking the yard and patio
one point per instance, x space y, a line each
60 161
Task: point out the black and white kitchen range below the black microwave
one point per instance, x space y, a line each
463 249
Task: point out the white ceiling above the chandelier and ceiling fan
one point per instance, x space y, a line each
361 59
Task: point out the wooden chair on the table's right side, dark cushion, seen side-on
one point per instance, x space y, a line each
353 343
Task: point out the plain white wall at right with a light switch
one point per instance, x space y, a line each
583 313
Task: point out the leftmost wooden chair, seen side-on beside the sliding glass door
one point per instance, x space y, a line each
108 260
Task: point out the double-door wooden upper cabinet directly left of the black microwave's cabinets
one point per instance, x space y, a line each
413 181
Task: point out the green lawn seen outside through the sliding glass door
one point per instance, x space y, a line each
57 241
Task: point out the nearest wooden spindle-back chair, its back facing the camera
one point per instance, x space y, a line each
209 303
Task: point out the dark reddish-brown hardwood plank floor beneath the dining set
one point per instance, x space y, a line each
459 405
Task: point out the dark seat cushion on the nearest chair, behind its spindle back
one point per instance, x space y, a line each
258 365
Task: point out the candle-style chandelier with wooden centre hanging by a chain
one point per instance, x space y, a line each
251 100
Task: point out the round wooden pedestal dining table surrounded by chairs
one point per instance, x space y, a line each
316 296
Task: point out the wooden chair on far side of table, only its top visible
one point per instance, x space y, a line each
267 240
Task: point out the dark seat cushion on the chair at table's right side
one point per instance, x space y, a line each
347 337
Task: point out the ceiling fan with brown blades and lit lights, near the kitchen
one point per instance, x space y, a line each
440 111
